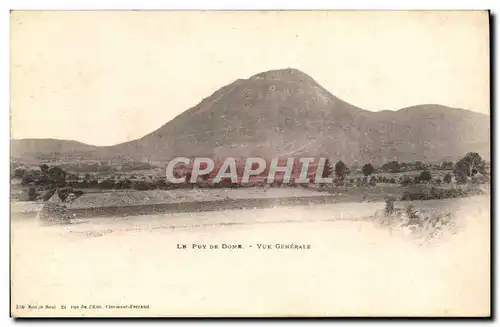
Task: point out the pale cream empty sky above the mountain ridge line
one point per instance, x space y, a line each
106 77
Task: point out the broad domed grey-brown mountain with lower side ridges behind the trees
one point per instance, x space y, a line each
286 113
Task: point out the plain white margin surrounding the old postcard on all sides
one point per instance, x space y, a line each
183 5
